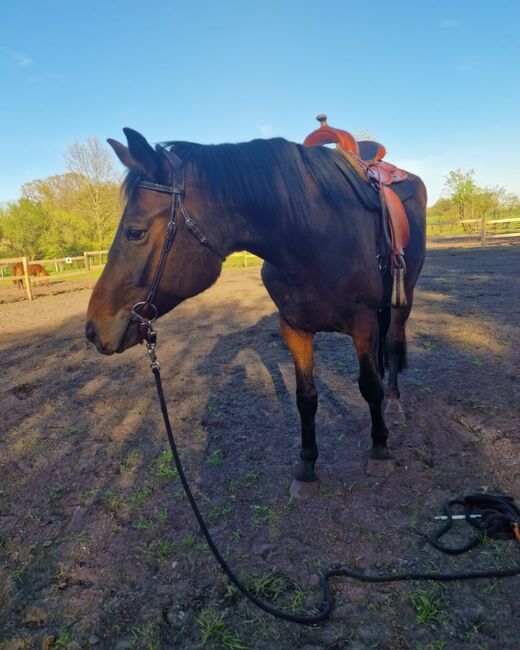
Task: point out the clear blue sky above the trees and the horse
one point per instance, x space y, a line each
437 82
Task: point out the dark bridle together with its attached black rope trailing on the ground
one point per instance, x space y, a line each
499 514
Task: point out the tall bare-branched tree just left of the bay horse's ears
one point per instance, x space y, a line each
98 199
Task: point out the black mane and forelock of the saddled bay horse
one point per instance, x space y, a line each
269 177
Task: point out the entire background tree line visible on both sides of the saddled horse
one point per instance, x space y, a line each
79 210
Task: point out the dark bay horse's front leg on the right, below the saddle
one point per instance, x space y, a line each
366 338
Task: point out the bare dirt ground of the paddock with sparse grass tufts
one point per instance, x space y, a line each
98 546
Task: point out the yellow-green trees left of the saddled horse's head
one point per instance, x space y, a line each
68 213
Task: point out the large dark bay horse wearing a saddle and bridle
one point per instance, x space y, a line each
298 209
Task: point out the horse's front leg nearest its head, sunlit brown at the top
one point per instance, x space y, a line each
300 346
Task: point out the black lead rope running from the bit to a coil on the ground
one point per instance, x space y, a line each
499 507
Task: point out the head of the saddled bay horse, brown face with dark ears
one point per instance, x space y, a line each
190 267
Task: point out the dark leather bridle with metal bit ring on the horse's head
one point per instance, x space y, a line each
145 311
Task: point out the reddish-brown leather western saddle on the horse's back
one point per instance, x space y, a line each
366 157
